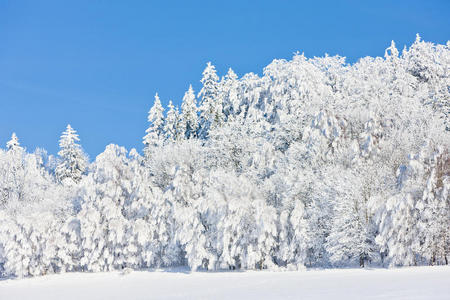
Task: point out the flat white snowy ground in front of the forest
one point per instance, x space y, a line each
406 283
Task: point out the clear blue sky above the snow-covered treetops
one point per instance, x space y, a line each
98 64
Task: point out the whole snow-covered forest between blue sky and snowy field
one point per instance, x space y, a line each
316 163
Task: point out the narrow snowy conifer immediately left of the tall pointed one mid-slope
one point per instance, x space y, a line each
189 119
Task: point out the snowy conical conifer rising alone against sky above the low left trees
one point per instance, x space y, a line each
73 161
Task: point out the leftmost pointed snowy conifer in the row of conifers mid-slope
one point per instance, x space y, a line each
155 132
